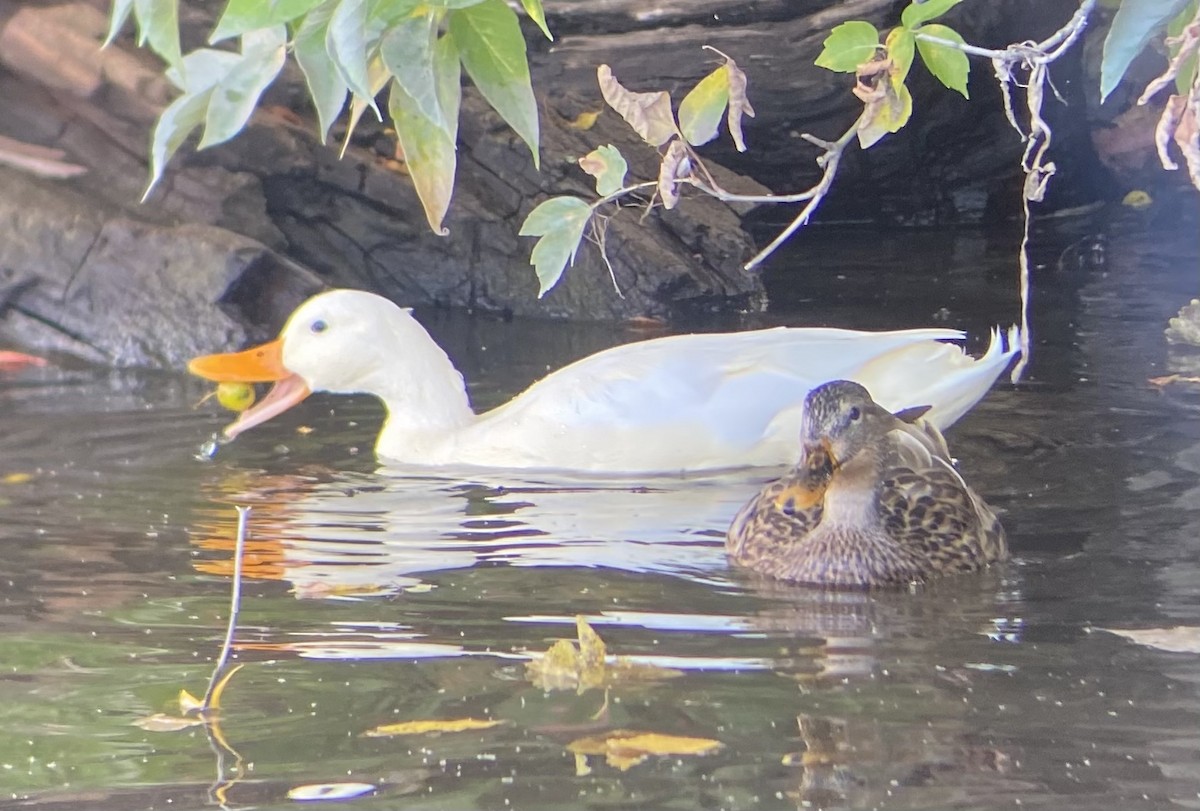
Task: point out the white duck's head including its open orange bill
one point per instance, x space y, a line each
339 341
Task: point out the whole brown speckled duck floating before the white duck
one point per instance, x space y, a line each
874 502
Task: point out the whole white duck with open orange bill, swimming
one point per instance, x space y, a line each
671 405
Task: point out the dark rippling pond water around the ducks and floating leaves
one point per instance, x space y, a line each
377 597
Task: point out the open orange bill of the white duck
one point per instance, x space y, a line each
262 364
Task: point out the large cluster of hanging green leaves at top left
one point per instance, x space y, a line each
347 50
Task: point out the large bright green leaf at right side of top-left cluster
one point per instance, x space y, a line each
493 50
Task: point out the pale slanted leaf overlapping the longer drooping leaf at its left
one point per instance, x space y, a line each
236 97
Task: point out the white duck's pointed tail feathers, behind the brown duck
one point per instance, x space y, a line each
939 375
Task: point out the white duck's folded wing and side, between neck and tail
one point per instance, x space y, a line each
688 403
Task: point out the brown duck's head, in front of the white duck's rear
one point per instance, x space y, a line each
842 422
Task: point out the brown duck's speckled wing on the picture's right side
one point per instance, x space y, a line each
929 509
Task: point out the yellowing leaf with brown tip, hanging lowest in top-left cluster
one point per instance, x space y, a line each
429 154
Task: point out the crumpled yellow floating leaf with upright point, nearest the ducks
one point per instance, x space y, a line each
569 668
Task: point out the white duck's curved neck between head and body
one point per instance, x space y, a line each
425 395
